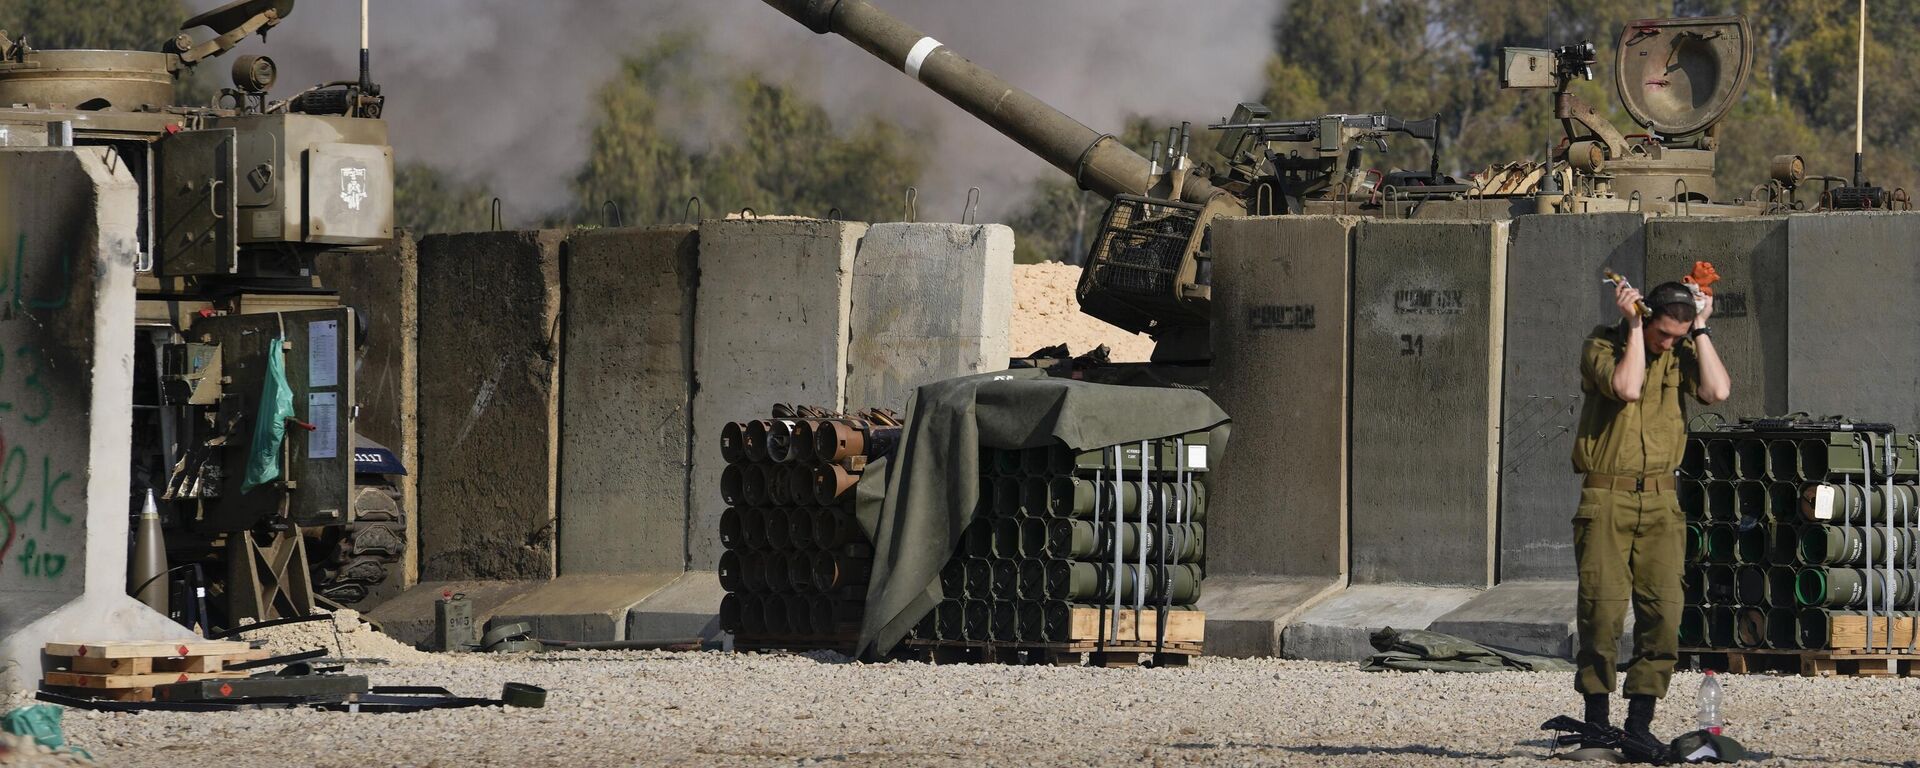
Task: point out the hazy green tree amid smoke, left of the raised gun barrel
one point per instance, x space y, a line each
765 145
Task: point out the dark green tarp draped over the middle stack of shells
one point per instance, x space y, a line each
917 504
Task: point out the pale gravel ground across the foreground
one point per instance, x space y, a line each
612 709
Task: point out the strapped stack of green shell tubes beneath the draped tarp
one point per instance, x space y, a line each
1059 531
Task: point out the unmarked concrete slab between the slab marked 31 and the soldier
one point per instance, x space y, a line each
1554 302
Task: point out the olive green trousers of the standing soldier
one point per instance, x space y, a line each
1631 548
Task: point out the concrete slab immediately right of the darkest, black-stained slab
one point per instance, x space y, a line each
627 400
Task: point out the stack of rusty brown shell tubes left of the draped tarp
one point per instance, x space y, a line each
796 562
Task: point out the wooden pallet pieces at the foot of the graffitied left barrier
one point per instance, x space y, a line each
130 671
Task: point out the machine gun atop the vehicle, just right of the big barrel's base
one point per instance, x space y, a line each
1328 168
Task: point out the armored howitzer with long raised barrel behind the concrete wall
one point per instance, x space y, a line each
1149 268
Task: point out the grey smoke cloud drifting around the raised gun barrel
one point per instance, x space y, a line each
502 91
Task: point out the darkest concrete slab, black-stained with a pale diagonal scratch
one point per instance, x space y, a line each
491 360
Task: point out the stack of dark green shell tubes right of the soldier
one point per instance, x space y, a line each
1802 540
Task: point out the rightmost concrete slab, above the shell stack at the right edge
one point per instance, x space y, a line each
1854 333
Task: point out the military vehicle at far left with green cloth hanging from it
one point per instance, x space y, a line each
262 514
